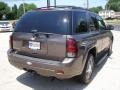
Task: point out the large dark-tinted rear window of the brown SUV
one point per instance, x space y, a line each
44 21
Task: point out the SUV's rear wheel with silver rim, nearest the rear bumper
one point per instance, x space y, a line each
86 76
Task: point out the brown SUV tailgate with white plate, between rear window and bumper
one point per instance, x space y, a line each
52 46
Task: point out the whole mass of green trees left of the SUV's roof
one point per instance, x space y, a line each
14 12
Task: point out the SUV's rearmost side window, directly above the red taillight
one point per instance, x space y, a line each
80 22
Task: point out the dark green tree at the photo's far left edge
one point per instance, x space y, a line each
4 9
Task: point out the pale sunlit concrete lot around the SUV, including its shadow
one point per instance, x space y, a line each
106 76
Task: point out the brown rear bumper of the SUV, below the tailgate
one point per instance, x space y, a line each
58 69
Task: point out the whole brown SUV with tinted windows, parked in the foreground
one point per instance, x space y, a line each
62 42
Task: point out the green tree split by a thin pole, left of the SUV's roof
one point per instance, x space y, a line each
28 7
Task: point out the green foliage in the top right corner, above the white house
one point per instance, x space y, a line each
113 5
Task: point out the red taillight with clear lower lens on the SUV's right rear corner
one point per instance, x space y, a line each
71 47
